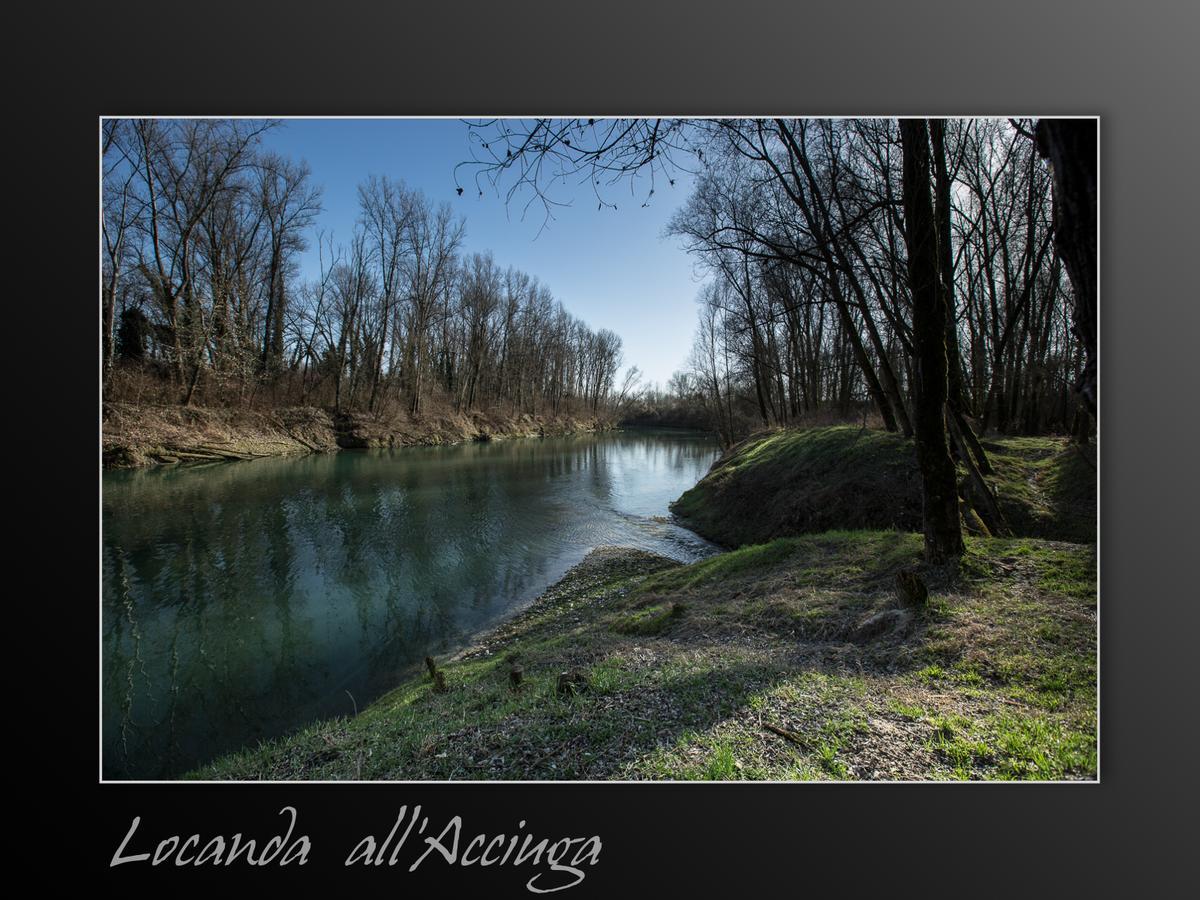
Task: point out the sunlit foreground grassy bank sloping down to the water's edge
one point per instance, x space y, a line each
784 661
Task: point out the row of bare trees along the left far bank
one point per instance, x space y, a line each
203 302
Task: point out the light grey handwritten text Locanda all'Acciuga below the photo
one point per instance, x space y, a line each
561 862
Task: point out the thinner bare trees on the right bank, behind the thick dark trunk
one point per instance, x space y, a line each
808 311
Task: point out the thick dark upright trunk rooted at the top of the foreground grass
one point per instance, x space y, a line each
941 519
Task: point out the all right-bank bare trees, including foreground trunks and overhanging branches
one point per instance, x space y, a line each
938 274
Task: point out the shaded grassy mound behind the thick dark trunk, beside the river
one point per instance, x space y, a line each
812 481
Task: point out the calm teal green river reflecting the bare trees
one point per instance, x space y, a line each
244 601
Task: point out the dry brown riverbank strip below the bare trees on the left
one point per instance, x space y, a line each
140 436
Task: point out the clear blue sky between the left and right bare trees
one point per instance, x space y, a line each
613 269
